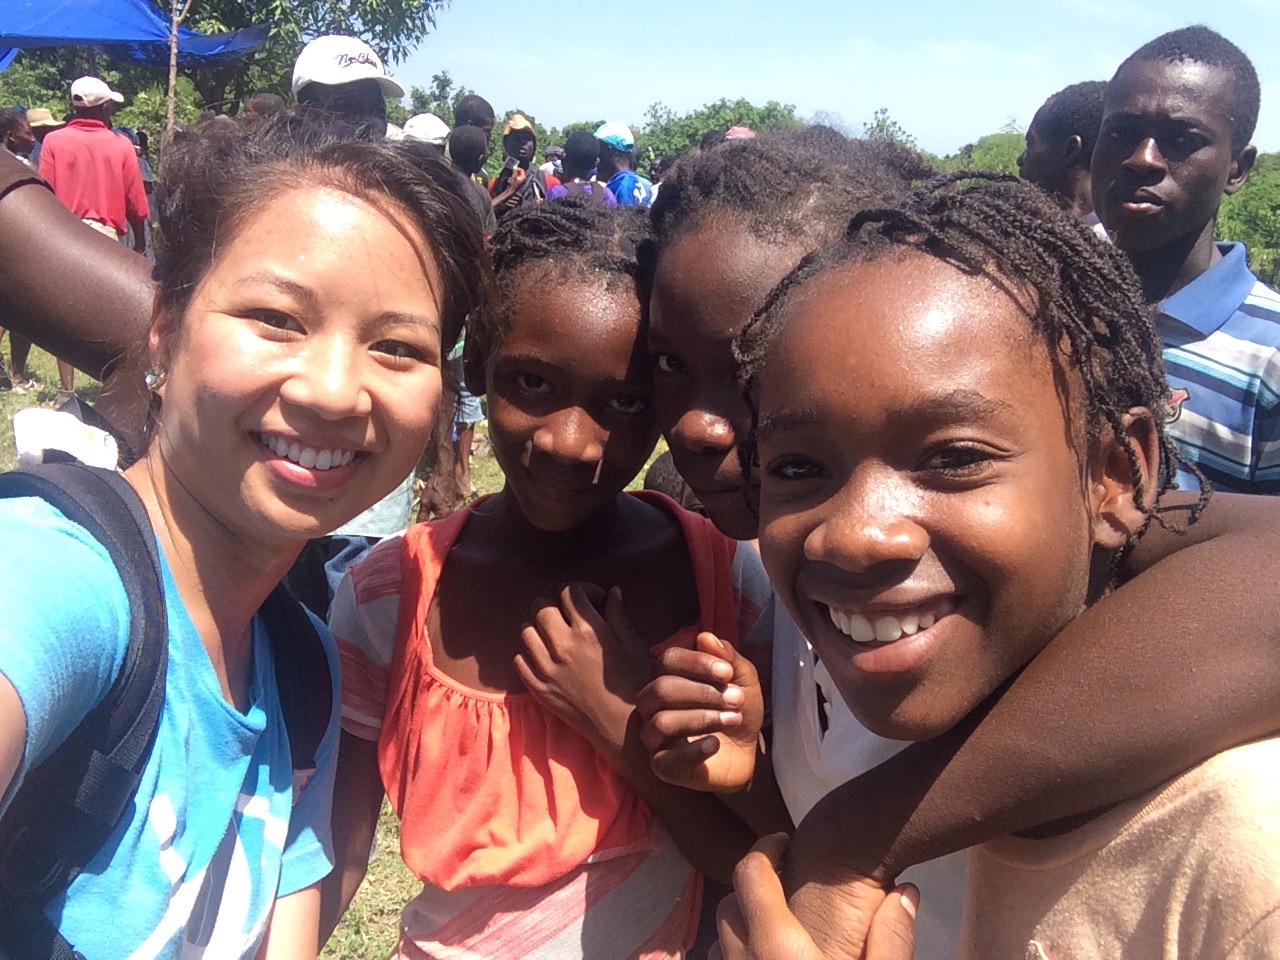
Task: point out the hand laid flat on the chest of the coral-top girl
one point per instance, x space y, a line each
586 666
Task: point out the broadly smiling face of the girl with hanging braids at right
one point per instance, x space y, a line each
916 456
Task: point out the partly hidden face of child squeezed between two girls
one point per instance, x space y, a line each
710 281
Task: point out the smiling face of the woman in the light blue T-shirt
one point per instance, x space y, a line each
319 324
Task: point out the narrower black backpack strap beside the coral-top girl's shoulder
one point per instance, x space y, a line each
303 675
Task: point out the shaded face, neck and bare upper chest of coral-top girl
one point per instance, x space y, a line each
570 427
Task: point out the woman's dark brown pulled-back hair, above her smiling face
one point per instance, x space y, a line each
217 177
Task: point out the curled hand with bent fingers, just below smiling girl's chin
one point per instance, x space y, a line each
702 716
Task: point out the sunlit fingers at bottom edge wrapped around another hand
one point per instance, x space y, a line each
756 924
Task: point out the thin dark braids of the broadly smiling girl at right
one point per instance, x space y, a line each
1090 312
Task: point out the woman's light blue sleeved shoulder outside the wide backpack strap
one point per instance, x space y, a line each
65 621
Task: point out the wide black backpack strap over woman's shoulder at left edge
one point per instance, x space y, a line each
68 807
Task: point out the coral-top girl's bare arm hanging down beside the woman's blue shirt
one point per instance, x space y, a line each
358 799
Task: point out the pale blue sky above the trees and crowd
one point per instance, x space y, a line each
949 72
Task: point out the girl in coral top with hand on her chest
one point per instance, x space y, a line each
496 701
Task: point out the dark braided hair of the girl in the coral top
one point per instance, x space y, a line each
552 243
